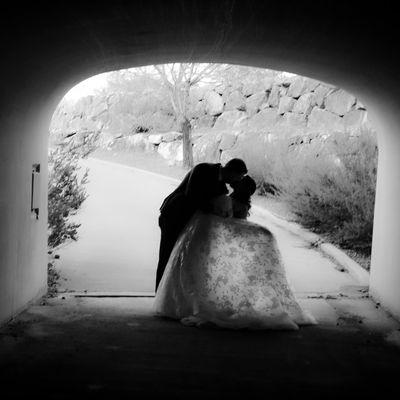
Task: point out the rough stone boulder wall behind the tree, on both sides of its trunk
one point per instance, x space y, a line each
226 116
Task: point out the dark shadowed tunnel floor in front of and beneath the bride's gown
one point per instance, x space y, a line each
88 347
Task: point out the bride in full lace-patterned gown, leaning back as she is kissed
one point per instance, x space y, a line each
227 271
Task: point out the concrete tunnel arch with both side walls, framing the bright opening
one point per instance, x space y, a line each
48 49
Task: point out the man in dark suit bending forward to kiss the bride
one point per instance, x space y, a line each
200 185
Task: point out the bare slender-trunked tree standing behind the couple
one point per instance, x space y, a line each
178 79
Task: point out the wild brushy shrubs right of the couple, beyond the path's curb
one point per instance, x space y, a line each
328 182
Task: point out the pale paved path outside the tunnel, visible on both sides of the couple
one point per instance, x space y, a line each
117 250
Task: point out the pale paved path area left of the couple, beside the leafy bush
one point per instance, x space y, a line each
118 241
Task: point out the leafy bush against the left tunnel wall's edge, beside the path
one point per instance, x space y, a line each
66 195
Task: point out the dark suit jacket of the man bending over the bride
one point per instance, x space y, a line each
199 186
